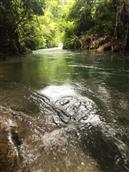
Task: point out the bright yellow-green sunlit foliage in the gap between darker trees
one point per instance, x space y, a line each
53 22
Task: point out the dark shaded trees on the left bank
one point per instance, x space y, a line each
17 22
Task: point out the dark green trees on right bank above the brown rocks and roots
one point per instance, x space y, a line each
95 19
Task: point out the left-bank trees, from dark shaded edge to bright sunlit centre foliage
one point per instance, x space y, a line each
31 24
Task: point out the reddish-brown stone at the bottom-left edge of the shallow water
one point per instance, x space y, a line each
8 152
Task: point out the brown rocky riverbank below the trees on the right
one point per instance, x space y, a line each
89 41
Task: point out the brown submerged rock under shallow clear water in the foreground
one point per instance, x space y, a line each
44 147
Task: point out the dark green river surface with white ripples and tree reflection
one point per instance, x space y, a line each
75 108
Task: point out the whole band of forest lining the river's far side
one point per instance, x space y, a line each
27 25
